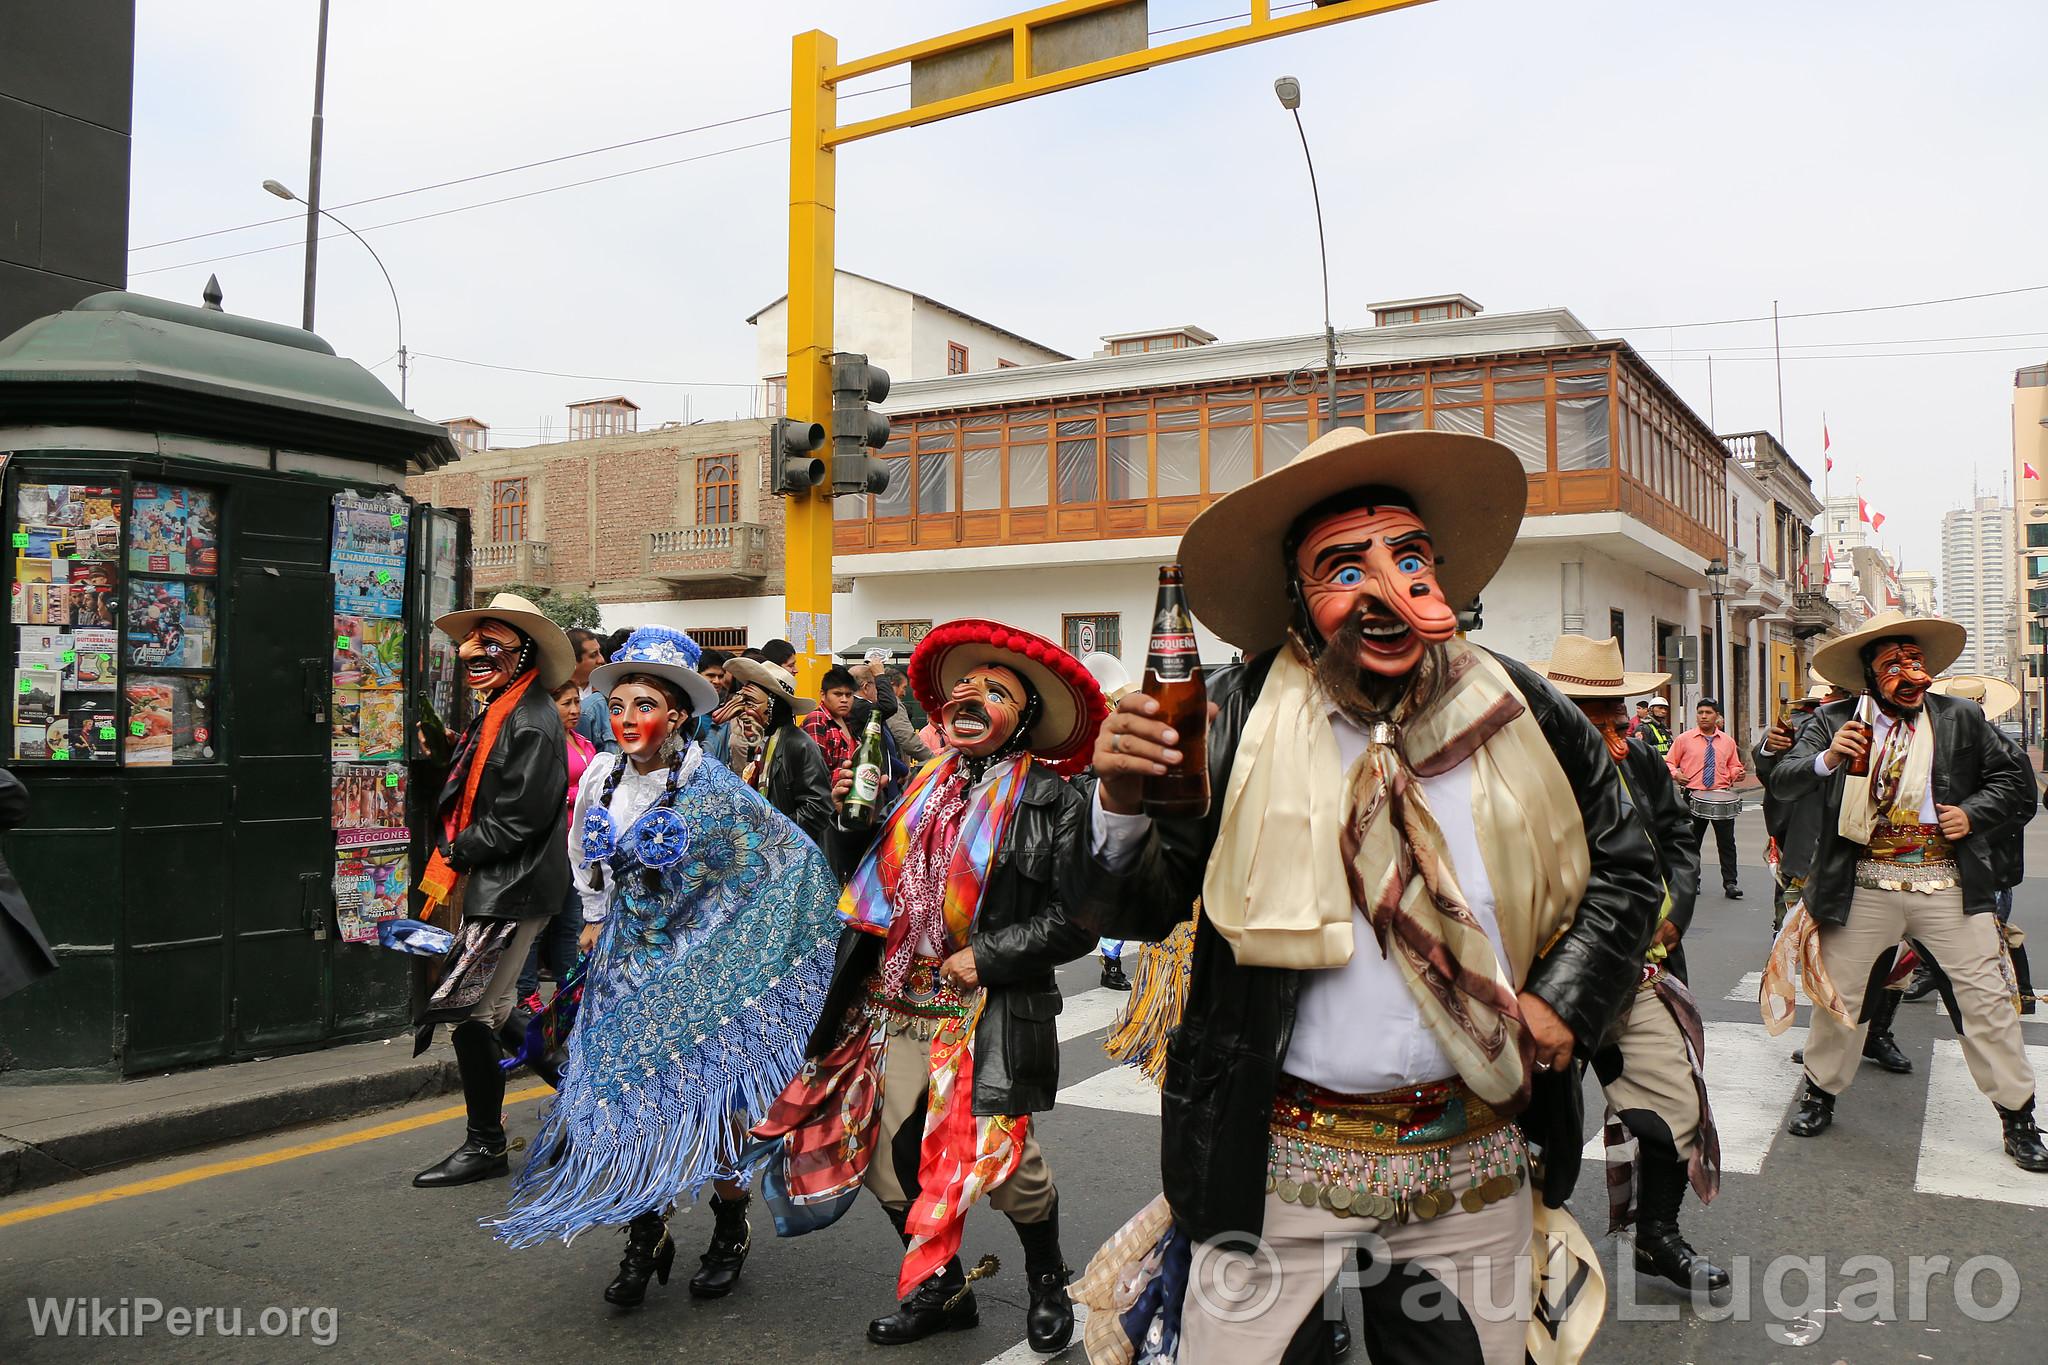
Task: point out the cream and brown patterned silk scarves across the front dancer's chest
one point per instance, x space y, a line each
1281 885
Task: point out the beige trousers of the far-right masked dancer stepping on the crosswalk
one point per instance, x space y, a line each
1967 946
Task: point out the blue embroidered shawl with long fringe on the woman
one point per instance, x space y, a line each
701 998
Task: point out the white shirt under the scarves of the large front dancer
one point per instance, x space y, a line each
1357 1026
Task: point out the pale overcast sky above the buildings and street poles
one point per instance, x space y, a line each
1644 165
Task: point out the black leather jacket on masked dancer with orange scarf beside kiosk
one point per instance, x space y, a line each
517 844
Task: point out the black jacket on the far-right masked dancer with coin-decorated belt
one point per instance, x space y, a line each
1975 768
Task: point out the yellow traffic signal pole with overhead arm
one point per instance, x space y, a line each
814 136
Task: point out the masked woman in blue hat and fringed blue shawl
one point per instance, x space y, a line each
712 928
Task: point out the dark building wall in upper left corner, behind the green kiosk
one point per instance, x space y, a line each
67 97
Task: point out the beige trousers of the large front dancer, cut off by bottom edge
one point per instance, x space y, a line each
1246 1309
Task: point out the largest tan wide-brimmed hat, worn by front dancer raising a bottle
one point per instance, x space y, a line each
1467 490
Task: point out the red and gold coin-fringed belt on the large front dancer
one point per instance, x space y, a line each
1392 1155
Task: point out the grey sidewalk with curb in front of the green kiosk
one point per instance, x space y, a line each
58 1133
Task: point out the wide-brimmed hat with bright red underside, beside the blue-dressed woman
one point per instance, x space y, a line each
1070 701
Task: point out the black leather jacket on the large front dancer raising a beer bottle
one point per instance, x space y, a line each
1224 1061
